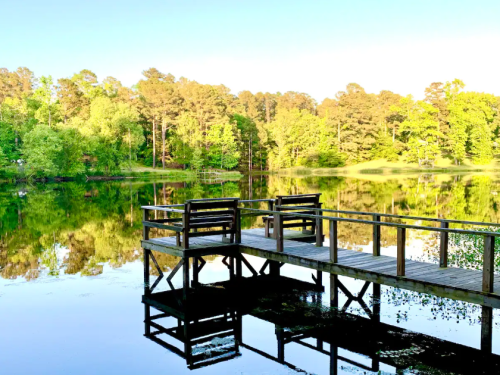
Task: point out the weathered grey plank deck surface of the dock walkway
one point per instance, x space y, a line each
456 283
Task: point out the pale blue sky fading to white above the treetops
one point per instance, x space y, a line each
310 46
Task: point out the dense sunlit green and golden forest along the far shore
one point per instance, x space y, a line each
78 125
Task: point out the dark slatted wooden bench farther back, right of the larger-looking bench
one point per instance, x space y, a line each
289 221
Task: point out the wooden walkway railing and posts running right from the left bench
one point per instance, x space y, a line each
377 223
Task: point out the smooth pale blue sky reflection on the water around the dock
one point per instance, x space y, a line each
81 325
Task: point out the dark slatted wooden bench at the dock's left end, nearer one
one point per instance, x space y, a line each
199 214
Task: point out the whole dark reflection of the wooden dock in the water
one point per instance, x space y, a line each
210 327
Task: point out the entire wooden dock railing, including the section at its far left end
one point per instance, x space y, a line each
280 212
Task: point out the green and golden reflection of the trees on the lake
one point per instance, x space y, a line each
97 223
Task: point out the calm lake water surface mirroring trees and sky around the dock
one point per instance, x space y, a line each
71 282
